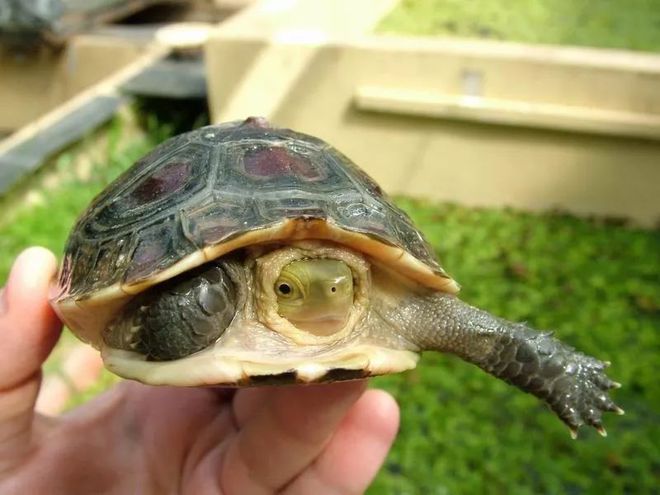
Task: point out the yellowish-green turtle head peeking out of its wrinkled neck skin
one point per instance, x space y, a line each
315 295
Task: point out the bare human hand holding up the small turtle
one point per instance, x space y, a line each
141 439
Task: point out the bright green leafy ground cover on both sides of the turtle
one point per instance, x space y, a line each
462 431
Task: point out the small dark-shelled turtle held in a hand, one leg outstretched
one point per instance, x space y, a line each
247 254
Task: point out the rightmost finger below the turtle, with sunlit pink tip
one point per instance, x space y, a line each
357 450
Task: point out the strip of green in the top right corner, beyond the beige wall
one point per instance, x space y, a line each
629 24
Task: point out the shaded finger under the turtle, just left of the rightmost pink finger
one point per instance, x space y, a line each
283 438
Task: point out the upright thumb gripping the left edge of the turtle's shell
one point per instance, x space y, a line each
28 331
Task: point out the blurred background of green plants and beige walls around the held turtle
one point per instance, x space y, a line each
522 137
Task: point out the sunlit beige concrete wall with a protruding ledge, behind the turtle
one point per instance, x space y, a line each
479 123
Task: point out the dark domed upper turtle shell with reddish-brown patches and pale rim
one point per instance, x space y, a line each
207 192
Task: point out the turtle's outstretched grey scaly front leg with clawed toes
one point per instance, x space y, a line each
573 384
